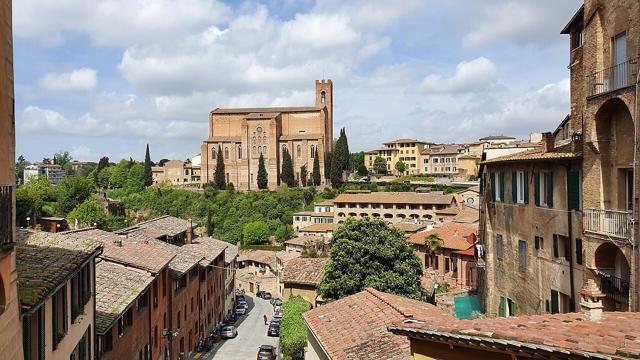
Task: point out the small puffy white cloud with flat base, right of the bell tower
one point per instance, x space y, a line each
469 76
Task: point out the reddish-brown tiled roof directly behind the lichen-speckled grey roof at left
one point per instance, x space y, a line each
137 252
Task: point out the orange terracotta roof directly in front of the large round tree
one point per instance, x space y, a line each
355 327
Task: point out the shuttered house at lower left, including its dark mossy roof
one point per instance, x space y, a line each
58 300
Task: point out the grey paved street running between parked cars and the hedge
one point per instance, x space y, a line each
251 333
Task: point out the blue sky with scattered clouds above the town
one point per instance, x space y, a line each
106 77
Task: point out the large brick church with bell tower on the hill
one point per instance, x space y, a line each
243 134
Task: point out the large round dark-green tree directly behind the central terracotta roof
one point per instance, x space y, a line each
370 253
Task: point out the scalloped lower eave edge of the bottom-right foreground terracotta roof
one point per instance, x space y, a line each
488 343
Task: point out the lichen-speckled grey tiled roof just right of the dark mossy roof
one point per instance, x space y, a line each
117 287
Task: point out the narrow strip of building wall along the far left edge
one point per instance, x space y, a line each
10 327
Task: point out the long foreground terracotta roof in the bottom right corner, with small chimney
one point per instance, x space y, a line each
613 337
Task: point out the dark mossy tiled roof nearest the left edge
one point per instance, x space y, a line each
45 260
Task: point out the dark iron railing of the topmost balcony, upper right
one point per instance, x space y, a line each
612 78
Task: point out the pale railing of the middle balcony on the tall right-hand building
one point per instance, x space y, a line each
608 222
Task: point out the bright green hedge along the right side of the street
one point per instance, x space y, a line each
293 332
